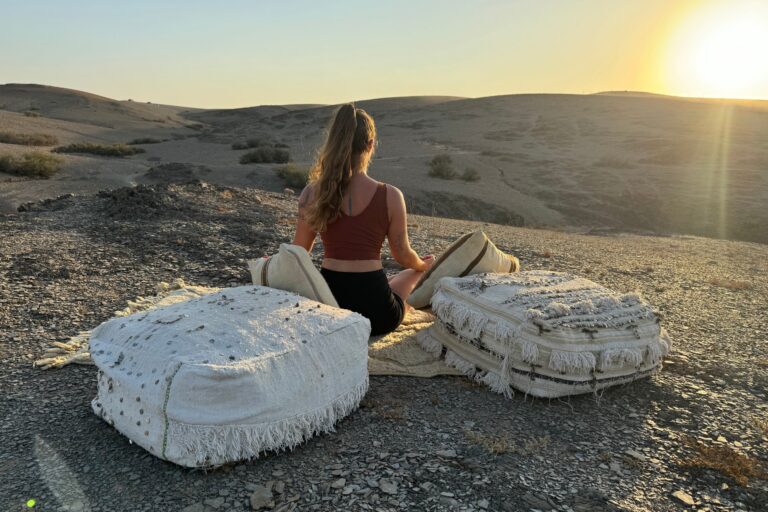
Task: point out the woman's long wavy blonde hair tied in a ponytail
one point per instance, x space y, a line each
344 152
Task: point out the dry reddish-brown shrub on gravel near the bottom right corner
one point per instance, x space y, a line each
725 459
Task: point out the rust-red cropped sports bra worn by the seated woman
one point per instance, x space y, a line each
360 236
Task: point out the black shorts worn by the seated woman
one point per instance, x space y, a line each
369 294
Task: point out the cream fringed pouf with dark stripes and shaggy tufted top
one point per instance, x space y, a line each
548 334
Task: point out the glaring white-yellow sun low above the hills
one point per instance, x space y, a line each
721 51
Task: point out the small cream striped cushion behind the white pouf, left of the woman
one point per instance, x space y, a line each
292 269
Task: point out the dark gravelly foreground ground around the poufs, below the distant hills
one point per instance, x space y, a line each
693 436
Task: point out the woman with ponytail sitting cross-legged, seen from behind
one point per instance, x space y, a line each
354 214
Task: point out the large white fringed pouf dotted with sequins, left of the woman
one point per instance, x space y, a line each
229 375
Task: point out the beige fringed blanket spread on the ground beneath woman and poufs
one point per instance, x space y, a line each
397 353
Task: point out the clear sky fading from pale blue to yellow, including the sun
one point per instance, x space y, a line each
234 53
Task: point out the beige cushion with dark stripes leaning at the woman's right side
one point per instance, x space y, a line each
473 253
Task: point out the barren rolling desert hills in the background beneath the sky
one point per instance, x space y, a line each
617 161
